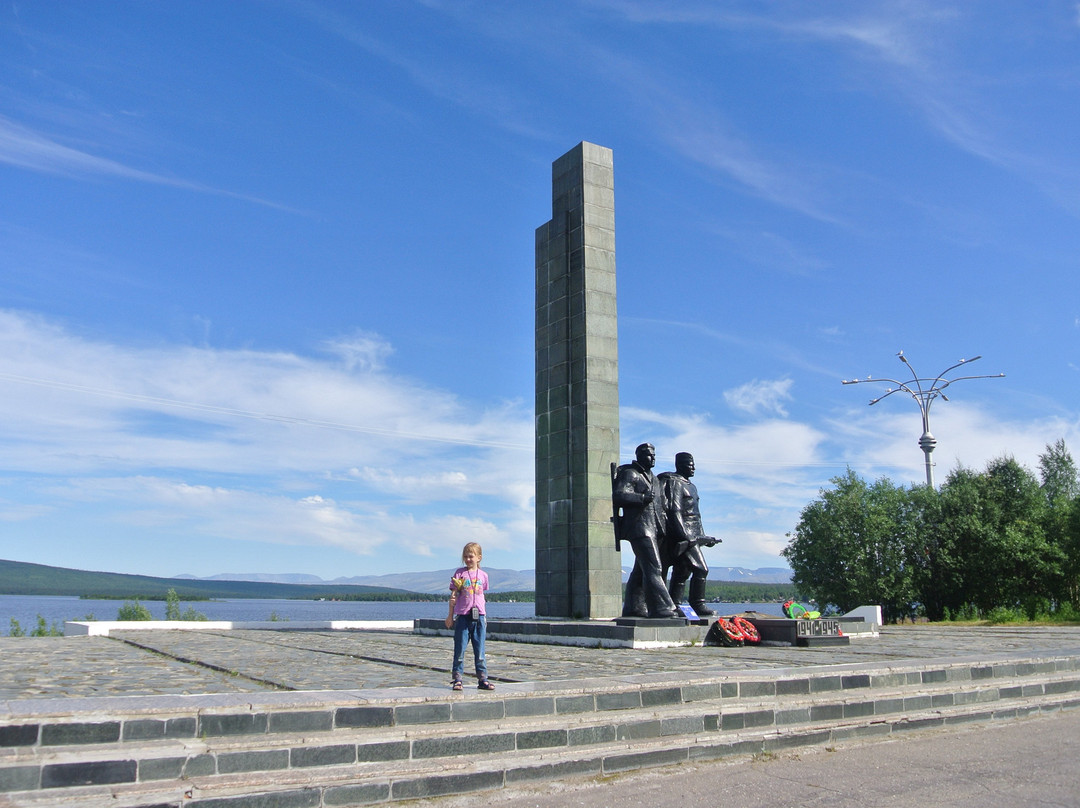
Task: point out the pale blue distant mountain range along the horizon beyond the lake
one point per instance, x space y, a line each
503 581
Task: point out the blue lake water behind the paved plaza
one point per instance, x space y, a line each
57 610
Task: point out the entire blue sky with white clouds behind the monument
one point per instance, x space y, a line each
267 272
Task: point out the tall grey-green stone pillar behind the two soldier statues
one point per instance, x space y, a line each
578 570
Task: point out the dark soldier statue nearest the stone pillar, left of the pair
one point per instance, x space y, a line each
639 504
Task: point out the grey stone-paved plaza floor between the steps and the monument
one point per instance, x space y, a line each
177 663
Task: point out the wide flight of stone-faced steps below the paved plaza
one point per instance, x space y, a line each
315 749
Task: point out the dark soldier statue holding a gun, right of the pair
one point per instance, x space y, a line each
684 536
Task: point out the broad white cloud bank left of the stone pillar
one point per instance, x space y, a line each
254 447
